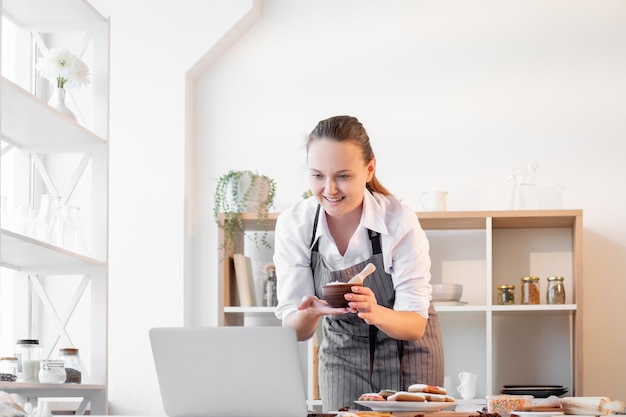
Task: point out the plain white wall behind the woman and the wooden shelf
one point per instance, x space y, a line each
454 95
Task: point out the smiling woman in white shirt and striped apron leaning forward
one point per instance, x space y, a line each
389 336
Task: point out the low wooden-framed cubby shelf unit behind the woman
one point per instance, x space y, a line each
503 344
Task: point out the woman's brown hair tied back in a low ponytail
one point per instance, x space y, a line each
348 129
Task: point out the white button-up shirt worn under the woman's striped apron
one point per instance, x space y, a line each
404 245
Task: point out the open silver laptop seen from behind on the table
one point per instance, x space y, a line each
229 371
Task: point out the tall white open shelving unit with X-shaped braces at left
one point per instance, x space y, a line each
49 292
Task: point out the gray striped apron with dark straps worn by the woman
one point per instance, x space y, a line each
354 357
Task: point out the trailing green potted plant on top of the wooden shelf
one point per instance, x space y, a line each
239 192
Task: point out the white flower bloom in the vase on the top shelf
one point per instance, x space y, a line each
63 69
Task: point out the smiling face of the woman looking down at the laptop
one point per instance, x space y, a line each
338 175
